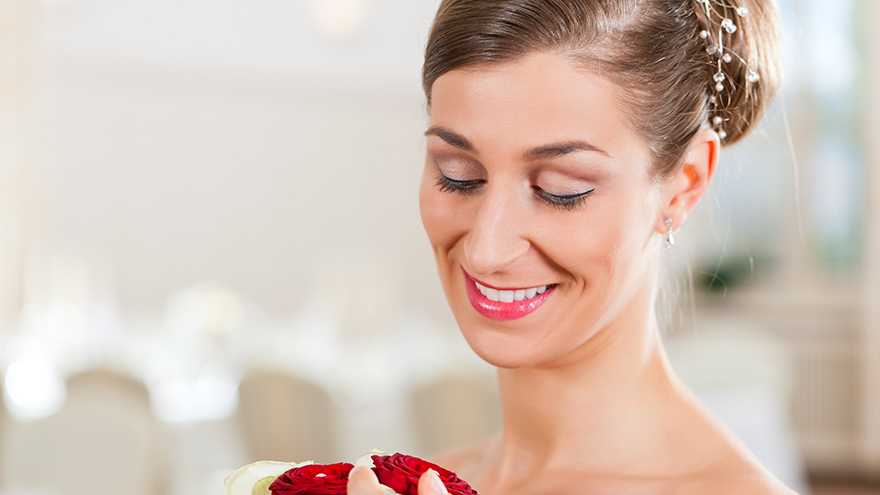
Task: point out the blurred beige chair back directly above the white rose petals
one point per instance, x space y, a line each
286 418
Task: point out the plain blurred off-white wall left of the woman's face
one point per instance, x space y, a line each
230 140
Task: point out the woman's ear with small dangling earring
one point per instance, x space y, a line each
691 180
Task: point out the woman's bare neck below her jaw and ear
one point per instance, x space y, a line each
593 407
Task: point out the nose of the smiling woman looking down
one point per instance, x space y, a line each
496 238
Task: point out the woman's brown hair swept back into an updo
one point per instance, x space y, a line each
651 49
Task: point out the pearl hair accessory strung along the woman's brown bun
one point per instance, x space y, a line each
715 11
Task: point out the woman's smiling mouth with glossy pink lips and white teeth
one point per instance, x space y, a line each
505 304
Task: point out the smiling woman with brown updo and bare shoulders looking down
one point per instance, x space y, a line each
568 140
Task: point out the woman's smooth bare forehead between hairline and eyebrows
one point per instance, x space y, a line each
529 102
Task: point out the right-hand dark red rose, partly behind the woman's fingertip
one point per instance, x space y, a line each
401 473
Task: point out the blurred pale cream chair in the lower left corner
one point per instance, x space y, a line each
104 440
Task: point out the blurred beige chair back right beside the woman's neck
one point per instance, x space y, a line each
455 411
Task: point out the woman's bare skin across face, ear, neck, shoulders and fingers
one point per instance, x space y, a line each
590 402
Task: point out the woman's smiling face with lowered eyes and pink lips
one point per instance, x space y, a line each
541 208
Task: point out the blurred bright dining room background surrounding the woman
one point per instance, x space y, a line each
210 249
